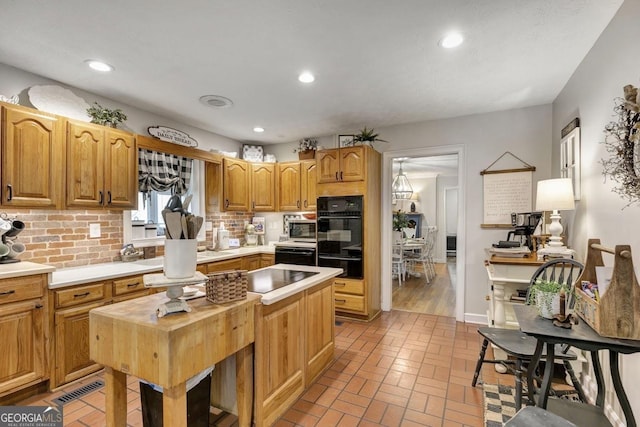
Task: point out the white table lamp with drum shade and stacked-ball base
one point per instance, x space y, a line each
555 195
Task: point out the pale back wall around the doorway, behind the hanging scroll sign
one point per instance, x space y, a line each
525 132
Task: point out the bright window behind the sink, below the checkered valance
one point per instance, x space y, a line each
150 212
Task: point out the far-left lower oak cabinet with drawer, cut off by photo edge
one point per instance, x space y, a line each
23 332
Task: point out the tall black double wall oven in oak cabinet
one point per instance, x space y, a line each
340 233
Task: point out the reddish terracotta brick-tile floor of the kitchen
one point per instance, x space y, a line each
402 369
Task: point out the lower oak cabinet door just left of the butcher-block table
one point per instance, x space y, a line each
72 360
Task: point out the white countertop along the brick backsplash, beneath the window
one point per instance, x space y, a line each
91 273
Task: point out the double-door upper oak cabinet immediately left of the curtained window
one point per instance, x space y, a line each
101 167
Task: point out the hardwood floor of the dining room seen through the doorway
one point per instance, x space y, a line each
437 297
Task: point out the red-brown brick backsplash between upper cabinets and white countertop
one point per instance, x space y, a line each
61 238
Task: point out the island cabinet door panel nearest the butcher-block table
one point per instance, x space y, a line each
279 354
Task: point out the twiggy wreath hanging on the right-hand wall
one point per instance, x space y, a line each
622 140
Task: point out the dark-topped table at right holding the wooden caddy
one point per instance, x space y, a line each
583 337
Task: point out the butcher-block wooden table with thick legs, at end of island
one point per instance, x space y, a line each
128 338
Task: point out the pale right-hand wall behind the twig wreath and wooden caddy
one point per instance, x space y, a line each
612 63
